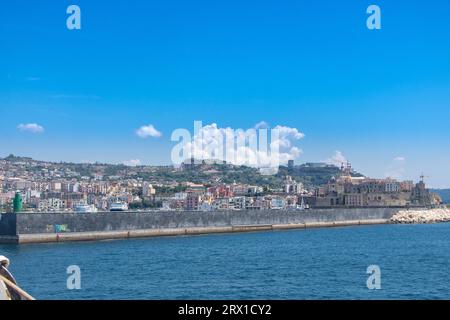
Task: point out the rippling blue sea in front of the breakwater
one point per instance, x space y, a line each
328 263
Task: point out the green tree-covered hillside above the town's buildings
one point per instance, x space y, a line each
311 175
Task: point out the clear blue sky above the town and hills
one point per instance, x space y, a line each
375 96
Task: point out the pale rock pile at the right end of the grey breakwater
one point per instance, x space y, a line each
422 216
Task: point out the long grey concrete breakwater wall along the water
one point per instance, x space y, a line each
55 227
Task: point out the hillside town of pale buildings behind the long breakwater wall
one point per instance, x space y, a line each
36 186
